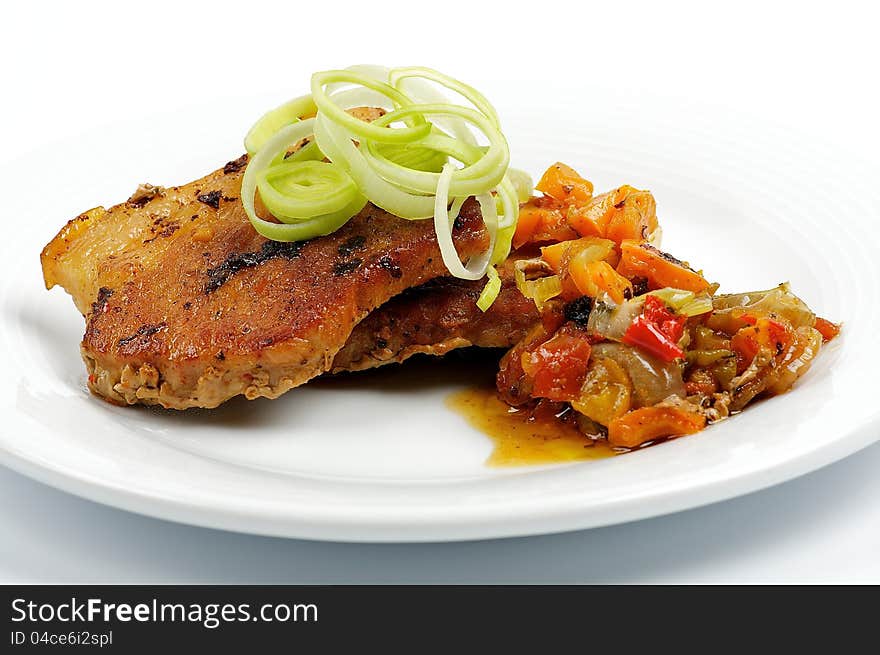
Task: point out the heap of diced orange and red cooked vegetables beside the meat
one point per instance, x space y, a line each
635 345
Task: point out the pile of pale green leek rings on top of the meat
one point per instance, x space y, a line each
421 160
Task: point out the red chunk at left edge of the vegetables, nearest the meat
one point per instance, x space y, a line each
558 366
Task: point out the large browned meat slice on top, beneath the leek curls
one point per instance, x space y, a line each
187 306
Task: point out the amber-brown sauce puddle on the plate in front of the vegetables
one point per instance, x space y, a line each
520 440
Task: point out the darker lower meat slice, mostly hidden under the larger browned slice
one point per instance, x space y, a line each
435 318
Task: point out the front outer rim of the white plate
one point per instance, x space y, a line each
471 528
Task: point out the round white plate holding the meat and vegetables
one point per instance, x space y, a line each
382 458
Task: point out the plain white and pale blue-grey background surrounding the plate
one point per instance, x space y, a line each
69 68
